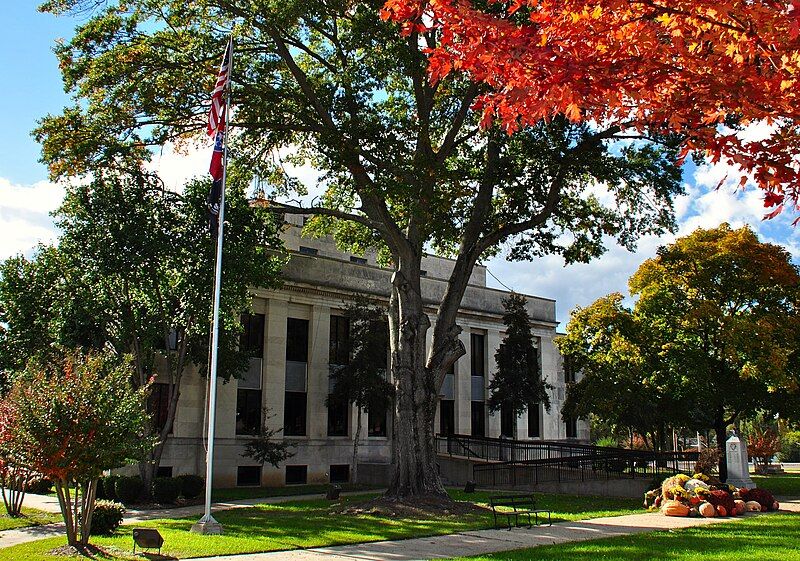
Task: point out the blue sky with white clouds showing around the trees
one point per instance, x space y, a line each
27 197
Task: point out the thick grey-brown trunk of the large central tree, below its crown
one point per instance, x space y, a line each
415 469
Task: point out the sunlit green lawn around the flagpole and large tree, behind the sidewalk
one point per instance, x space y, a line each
315 523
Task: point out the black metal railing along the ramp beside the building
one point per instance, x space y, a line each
520 463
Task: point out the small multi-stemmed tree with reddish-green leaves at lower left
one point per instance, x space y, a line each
72 420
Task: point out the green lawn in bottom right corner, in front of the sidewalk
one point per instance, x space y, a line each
761 538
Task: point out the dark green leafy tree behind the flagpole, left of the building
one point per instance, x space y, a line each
133 271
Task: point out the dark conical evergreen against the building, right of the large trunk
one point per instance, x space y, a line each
518 380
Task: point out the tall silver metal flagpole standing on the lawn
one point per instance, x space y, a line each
207 524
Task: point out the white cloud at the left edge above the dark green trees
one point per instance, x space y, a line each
25 219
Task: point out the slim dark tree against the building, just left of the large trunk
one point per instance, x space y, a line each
363 380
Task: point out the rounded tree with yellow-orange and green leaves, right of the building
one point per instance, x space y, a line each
712 337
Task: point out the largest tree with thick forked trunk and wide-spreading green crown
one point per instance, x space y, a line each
405 165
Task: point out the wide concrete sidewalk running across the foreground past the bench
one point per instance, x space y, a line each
480 542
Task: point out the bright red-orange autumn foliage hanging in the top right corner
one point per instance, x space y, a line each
668 66
